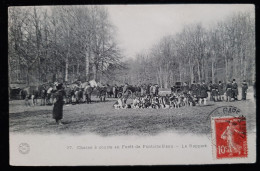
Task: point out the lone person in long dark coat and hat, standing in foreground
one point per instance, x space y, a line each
58 105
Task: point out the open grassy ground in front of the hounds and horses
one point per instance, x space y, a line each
102 119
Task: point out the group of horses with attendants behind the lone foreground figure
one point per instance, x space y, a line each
74 93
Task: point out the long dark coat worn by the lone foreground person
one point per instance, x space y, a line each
58 105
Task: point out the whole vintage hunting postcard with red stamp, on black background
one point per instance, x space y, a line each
132 84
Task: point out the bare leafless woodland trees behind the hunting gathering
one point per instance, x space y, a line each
69 43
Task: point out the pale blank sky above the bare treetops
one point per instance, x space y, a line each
141 26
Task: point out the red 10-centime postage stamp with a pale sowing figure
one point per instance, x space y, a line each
229 137
